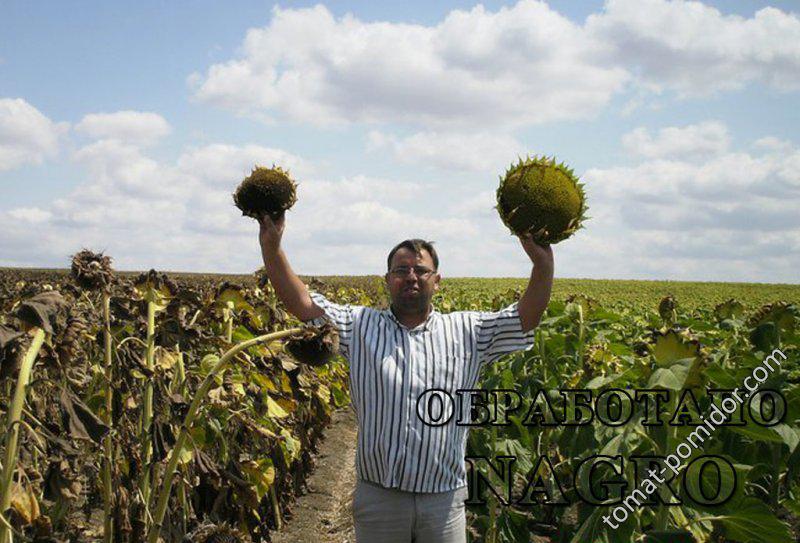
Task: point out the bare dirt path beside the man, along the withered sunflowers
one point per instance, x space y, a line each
324 515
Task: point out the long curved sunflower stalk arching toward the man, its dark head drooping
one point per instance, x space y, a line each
194 408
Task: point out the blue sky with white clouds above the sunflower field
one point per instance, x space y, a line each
125 128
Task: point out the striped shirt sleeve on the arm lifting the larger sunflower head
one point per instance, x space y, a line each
500 333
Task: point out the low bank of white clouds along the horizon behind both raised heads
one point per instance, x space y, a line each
731 216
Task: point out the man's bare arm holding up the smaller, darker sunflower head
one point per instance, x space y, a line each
289 288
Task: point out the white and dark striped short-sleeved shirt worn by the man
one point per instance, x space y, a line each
392 365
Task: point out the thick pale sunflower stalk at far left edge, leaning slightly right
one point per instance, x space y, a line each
12 427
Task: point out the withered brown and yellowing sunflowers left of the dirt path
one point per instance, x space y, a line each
146 408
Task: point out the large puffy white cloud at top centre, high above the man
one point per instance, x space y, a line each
521 65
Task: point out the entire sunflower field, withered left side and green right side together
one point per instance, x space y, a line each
168 407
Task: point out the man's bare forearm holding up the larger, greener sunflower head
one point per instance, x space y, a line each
534 300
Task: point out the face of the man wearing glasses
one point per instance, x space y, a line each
410 292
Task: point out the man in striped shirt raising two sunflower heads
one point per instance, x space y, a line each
411 476
